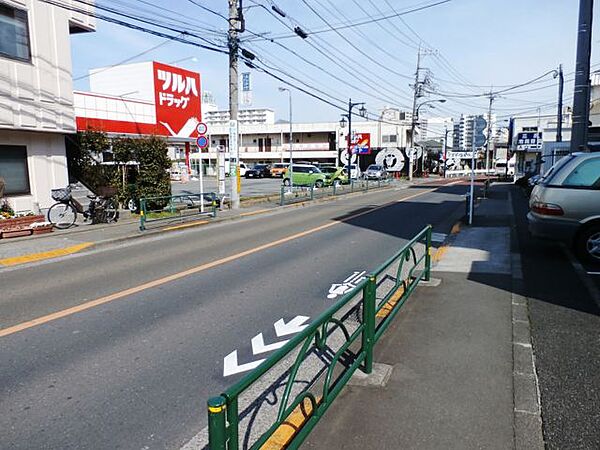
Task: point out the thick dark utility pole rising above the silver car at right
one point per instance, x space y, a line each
581 100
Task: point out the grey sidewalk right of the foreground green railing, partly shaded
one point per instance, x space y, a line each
456 382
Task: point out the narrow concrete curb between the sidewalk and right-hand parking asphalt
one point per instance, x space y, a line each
528 432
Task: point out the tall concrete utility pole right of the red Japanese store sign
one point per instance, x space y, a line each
234 150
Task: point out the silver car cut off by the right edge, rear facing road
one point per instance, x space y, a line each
565 204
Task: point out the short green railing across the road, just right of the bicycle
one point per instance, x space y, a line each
175 208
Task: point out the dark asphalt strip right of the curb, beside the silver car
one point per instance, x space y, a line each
565 327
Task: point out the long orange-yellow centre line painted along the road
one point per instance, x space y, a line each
158 282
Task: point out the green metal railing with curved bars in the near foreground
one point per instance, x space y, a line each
308 373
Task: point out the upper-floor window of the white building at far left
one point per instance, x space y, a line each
14 33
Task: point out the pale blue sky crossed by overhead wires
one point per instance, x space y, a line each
472 43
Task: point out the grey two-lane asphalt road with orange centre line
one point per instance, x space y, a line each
135 371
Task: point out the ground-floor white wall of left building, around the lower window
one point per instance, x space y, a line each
46 163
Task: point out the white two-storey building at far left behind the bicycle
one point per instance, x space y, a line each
36 97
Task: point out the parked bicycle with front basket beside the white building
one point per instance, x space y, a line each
63 214
